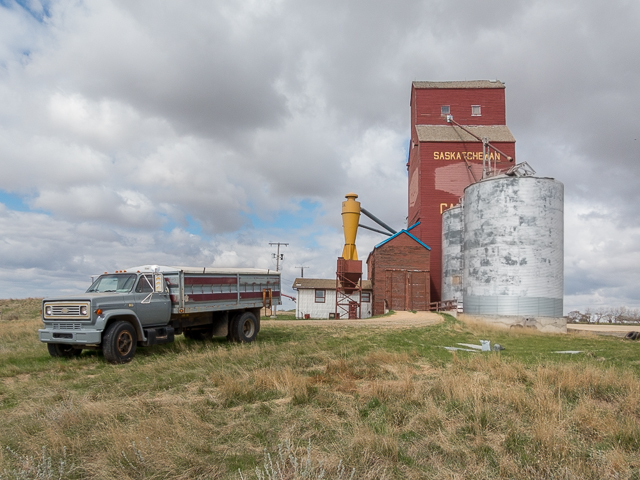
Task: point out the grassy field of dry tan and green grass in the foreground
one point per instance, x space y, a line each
361 403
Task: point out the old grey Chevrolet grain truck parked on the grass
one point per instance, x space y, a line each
149 305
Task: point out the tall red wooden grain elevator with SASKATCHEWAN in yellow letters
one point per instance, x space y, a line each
449 121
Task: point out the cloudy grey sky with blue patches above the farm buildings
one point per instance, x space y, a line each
197 132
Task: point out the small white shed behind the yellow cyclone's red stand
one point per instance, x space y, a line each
317 298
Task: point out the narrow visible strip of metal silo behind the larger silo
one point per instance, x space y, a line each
452 257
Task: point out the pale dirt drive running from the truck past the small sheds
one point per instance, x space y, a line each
397 320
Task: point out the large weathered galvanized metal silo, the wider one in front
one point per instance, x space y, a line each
513 247
